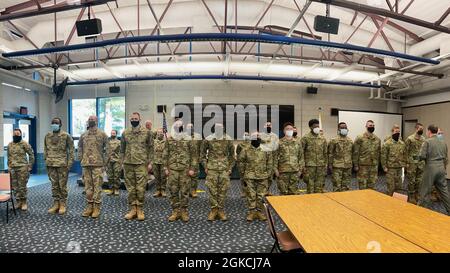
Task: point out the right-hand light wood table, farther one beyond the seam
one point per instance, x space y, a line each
423 227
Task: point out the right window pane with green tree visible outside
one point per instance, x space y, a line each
111 114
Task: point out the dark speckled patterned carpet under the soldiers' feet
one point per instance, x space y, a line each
37 231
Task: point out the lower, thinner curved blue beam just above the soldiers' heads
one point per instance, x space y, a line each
220 77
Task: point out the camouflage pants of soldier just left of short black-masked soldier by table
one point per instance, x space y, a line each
217 183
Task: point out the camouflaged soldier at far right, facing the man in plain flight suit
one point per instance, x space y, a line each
414 167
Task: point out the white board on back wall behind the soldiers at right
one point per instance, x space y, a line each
356 122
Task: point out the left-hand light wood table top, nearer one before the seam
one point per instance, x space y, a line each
321 224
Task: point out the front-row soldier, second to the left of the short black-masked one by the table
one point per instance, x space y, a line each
180 160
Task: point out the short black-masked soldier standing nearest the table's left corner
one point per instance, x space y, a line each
256 164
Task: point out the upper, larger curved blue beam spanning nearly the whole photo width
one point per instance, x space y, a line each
196 37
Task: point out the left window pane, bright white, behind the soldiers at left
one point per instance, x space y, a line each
81 110
